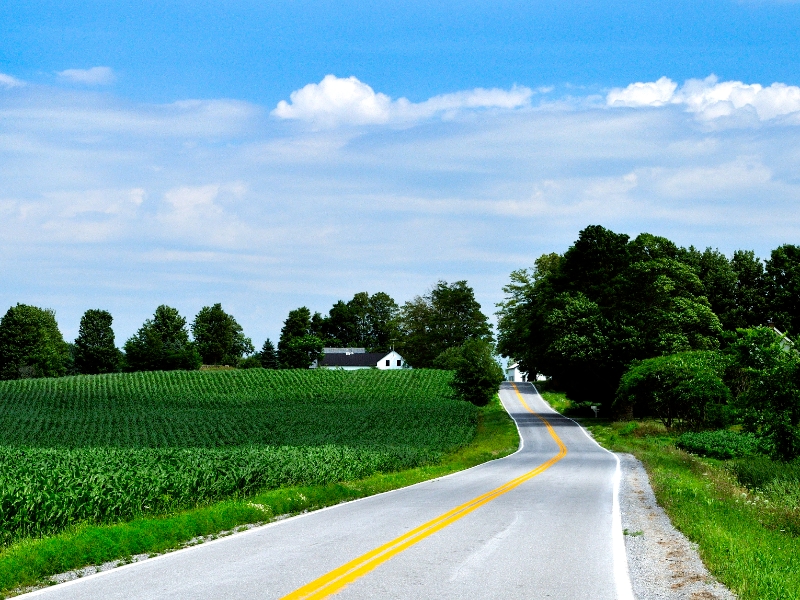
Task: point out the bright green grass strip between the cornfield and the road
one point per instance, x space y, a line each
31 562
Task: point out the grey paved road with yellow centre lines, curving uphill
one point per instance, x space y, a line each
552 532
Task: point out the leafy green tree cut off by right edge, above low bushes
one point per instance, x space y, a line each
765 377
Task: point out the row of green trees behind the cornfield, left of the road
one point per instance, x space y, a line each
444 328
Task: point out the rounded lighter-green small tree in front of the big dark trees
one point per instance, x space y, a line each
682 388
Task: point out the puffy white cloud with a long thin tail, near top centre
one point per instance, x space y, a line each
336 100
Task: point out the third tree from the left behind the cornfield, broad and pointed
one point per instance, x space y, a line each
162 344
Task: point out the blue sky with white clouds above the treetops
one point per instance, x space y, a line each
272 155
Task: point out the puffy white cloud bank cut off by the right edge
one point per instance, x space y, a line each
711 99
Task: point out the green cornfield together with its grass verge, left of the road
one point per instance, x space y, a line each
196 454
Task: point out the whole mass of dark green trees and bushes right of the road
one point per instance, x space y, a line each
643 326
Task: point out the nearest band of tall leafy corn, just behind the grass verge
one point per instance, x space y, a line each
44 490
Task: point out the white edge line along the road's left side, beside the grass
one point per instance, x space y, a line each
169 553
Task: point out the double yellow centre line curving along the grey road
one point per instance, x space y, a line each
334 581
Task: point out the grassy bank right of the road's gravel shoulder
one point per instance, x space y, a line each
747 536
